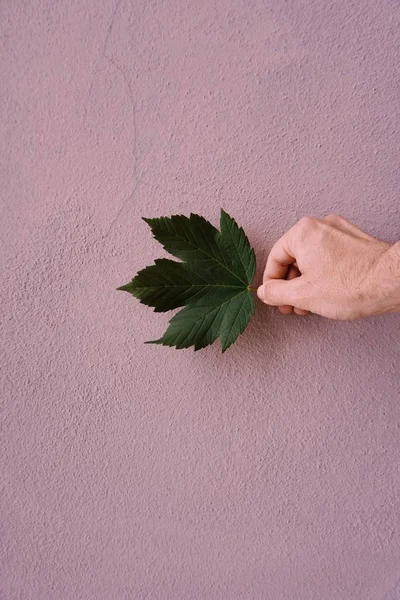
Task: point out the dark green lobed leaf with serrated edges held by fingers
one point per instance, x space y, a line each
212 283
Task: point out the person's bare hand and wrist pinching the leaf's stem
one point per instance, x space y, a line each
332 268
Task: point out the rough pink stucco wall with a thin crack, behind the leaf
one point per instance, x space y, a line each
138 472
